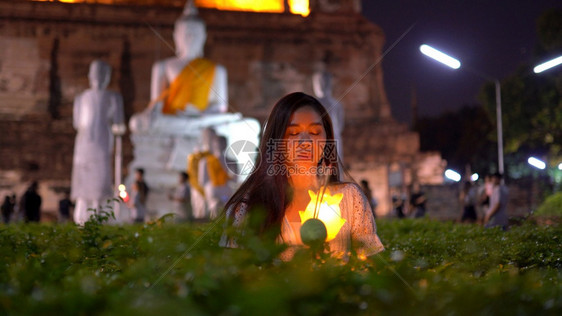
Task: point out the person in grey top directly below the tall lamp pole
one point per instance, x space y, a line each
496 215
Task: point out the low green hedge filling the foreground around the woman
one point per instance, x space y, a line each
428 268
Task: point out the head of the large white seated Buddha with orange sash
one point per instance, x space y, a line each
189 33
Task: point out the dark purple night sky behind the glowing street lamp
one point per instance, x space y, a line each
490 36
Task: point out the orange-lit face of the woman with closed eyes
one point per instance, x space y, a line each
305 138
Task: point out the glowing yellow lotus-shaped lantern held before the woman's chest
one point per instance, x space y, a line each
329 212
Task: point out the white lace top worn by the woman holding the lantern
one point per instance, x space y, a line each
359 231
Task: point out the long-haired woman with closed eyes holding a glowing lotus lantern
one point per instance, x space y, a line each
300 155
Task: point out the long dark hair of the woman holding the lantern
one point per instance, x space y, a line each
270 191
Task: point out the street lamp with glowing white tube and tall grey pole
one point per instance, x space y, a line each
455 64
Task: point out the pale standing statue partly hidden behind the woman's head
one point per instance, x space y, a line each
322 86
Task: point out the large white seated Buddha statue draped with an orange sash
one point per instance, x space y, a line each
187 84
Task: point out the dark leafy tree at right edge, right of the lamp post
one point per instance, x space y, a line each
532 103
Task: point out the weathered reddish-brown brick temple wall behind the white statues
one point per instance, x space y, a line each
47 48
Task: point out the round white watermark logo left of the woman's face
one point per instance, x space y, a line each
242 156
